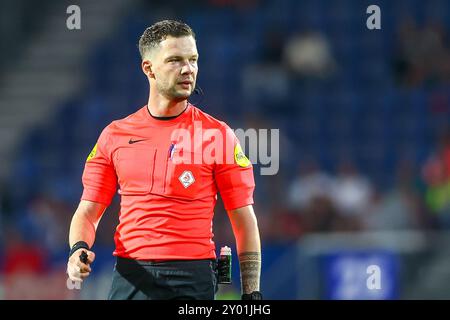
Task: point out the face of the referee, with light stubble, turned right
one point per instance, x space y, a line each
174 65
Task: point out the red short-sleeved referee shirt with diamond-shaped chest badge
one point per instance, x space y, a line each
169 173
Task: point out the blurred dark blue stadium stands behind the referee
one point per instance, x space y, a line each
364 136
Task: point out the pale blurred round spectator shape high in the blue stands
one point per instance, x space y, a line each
309 55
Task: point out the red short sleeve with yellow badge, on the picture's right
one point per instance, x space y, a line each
234 174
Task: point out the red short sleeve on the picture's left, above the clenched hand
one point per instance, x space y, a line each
99 177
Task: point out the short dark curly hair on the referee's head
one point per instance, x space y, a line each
159 31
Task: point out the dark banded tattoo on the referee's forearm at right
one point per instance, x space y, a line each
250 263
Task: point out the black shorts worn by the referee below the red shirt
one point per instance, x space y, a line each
181 279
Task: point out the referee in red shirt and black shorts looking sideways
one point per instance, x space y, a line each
168 177
